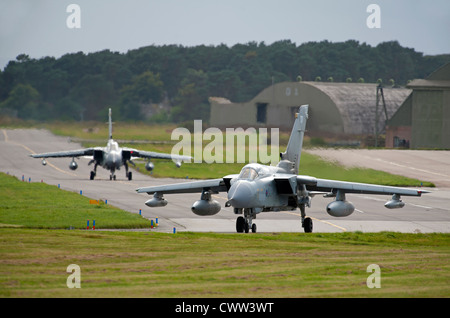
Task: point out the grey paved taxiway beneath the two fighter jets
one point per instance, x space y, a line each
429 213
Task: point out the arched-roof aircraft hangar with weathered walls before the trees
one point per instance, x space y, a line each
335 108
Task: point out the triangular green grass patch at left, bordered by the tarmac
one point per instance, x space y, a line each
39 205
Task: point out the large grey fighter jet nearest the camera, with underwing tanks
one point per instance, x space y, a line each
259 188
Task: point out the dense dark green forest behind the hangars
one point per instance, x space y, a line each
180 79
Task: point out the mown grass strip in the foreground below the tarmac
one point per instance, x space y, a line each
150 264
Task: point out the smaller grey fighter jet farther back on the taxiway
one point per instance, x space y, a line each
111 157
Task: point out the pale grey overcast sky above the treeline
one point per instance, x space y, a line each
39 28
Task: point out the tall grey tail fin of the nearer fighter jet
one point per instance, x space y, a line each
294 148
